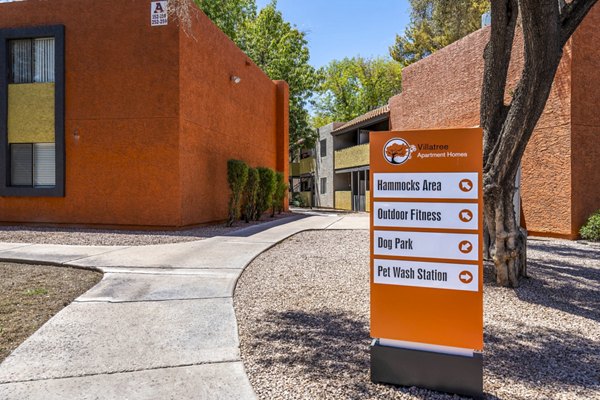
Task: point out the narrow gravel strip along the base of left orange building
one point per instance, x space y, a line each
106 237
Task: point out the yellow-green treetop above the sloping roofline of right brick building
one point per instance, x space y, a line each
434 24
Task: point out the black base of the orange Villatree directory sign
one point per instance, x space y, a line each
436 371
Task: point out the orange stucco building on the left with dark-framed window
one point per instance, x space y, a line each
141 119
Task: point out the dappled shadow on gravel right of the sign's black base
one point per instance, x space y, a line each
552 356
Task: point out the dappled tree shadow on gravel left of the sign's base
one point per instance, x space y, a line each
329 345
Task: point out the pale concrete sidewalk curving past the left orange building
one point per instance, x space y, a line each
159 325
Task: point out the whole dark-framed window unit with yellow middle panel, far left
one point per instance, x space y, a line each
32 112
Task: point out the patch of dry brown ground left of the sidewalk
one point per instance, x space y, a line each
31 294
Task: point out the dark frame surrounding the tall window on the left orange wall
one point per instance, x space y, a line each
58 32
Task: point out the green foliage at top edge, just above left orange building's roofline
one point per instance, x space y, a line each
229 15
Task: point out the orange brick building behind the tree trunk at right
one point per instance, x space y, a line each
561 166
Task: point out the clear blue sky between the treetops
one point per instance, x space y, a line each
345 28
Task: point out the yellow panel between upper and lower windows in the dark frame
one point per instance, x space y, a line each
31 113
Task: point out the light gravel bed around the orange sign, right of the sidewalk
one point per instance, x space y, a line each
302 340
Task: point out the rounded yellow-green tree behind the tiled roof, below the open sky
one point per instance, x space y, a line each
354 86
